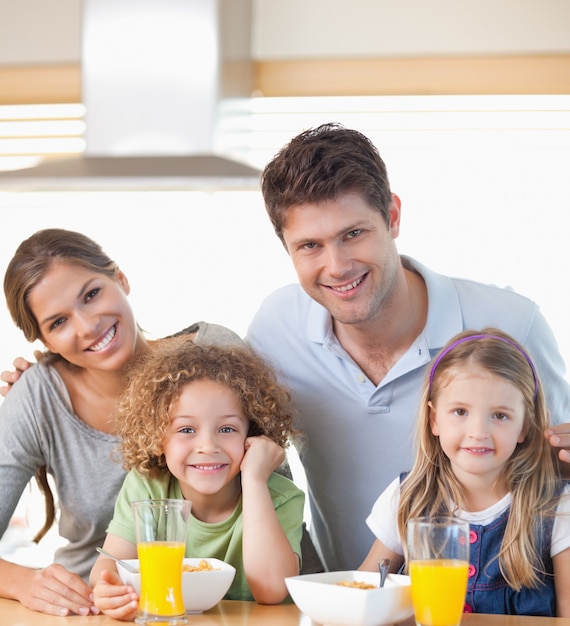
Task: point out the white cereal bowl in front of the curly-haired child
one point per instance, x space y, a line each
202 590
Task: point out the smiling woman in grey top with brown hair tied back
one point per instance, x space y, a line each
63 289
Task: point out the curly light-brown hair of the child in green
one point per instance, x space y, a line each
155 383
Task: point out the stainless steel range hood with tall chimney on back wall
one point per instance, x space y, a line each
153 75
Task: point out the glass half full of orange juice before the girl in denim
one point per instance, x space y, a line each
438 562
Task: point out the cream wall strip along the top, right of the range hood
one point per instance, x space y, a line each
284 29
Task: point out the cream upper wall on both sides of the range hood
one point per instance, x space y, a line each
36 31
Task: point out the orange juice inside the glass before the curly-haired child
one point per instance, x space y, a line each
161 578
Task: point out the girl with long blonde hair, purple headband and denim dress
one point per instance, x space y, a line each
482 456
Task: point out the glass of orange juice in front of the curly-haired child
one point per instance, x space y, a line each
160 528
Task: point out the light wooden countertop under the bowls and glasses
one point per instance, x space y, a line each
233 613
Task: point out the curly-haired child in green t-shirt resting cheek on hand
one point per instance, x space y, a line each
210 425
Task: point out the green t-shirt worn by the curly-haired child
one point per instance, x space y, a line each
222 540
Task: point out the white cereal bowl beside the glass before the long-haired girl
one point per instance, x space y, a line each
321 598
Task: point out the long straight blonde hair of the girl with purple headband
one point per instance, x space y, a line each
530 474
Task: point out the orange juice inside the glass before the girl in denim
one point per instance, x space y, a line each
438 591
